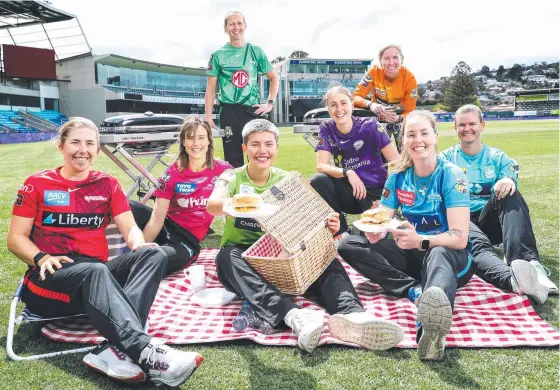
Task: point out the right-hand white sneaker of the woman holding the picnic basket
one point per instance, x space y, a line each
365 330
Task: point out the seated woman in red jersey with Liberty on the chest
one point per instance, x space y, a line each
57 229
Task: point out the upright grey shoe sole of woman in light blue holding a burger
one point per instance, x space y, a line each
435 314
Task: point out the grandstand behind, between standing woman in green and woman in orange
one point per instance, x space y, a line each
303 82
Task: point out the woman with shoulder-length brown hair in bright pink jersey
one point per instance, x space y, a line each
179 220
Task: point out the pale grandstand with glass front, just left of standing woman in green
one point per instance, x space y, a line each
99 86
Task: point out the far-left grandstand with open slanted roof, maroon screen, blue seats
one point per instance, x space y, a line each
33 36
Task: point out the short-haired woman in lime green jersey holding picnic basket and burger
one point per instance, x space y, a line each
333 290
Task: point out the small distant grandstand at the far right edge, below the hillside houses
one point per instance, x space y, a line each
537 102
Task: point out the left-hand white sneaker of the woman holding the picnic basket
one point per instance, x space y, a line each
308 325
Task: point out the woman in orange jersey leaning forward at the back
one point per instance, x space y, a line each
393 91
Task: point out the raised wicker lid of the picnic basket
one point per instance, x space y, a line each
302 212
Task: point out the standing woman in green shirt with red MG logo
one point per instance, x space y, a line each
235 68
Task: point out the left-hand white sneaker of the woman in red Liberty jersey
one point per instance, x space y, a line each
114 363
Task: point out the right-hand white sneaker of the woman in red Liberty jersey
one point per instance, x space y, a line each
168 366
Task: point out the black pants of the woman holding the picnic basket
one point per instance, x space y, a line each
333 290
